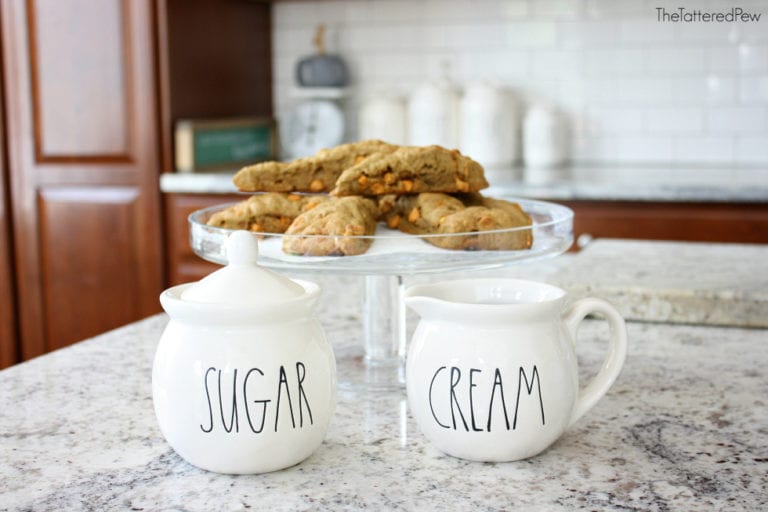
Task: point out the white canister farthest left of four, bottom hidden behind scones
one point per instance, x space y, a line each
384 117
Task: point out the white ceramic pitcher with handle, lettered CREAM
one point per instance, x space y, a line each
491 373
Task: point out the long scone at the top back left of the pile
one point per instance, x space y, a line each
317 173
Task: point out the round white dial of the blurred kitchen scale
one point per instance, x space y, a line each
311 126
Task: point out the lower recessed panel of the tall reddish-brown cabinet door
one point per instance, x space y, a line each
89 261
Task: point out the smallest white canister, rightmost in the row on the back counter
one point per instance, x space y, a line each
545 137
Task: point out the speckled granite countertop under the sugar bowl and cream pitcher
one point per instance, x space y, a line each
683 428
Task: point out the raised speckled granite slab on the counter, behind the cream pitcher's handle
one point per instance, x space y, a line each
676 282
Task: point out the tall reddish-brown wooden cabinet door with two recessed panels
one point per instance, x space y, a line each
81 110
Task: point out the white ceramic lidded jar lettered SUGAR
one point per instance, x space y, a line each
244 380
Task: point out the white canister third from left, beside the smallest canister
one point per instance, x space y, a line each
489 125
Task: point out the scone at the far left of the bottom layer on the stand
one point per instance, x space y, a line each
266 213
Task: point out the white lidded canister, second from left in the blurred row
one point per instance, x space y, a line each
433 115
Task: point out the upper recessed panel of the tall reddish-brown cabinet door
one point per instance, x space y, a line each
69 120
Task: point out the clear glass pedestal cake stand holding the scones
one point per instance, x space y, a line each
392 256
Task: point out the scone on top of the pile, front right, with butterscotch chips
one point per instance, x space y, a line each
412 169
